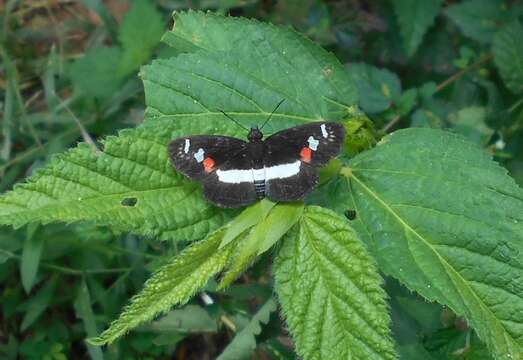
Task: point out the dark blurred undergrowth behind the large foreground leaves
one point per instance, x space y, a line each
70 73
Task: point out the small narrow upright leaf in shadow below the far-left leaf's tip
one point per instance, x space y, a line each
31 254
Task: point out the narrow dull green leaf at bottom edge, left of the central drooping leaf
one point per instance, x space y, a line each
244 343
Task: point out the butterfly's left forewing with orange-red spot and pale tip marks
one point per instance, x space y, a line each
197 156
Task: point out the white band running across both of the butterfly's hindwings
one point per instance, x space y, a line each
267 173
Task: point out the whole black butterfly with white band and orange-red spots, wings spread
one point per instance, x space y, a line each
236 173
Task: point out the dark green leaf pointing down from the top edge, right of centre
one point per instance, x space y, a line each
414 18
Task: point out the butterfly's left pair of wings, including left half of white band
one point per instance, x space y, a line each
223 165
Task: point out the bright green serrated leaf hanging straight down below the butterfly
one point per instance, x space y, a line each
330 291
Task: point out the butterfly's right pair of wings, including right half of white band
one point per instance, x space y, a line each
292 155
